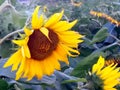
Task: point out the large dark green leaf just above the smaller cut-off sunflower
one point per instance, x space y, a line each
86 63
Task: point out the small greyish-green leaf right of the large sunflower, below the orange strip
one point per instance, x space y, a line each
100 35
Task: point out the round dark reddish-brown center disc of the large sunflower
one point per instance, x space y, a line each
40 46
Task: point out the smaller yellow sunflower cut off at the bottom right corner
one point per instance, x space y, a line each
108 77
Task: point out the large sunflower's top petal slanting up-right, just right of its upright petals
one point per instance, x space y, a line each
54 19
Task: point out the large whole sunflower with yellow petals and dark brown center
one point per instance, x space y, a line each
46 43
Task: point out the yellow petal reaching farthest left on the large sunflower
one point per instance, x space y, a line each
13 58
